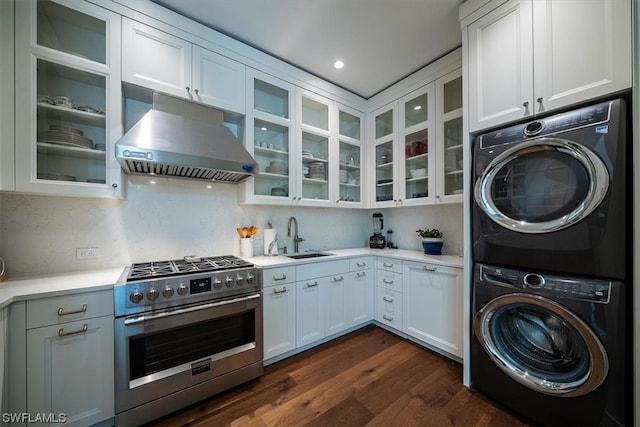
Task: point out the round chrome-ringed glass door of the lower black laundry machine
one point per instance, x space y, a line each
542 345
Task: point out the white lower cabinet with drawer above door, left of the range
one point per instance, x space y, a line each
69 366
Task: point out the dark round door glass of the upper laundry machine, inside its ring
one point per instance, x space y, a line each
540 186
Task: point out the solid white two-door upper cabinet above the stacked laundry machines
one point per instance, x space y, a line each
528 57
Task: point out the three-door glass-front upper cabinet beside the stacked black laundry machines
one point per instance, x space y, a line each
416 153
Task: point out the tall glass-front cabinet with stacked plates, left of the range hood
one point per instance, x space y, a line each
68 109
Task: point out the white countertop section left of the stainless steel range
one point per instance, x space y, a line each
46 286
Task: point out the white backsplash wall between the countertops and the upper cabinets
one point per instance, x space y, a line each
174 218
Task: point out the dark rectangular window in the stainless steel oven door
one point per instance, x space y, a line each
173 347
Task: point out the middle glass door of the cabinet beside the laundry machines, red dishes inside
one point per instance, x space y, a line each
417 168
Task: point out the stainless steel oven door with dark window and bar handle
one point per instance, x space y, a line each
161 352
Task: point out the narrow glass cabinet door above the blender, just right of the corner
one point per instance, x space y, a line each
384 175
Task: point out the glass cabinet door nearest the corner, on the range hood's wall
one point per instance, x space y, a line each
350 152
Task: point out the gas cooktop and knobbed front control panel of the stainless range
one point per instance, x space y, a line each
154 285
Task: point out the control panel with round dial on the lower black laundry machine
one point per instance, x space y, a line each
548 284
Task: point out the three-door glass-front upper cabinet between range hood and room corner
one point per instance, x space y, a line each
308 147
